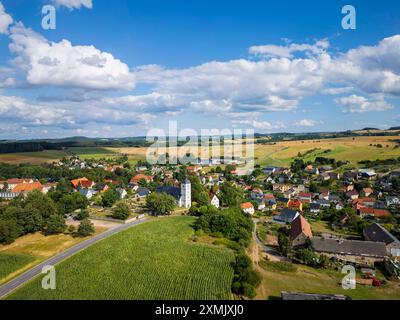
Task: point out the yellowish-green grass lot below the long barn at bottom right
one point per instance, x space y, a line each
309 280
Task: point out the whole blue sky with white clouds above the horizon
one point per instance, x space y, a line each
119 68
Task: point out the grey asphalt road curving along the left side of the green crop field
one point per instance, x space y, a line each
25 277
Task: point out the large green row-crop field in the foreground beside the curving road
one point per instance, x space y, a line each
155 260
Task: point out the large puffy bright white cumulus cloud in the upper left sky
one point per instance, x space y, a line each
65 65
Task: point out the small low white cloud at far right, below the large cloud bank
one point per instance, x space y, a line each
359 104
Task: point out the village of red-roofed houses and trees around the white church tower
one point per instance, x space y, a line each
317 214
